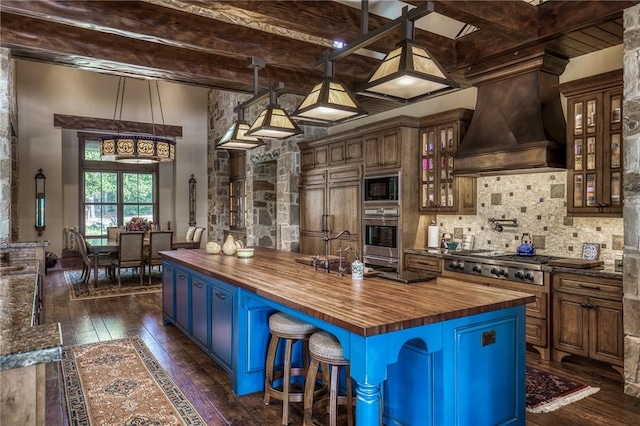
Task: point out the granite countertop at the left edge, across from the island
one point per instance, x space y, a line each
22 344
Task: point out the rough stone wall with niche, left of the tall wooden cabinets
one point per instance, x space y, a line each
272 175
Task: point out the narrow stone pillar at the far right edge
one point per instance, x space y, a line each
631 212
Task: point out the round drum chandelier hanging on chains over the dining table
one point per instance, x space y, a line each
136 149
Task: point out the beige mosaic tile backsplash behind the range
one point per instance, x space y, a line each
538 203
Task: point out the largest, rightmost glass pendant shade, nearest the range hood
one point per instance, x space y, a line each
408 72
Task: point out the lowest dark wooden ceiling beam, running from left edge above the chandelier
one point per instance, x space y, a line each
81 48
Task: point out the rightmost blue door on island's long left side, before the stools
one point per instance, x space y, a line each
222 324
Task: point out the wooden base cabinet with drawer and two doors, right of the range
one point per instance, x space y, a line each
587 318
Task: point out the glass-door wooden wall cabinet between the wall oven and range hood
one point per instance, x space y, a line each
441 192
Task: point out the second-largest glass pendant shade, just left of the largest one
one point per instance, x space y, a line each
330 101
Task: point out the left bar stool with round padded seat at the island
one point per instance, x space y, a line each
283 326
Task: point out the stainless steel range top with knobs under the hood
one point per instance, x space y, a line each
498 264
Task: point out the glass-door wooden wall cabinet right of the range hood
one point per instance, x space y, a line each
594 145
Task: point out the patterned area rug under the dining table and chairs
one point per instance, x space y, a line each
130 284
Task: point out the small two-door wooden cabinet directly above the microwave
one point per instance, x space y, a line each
382 150
